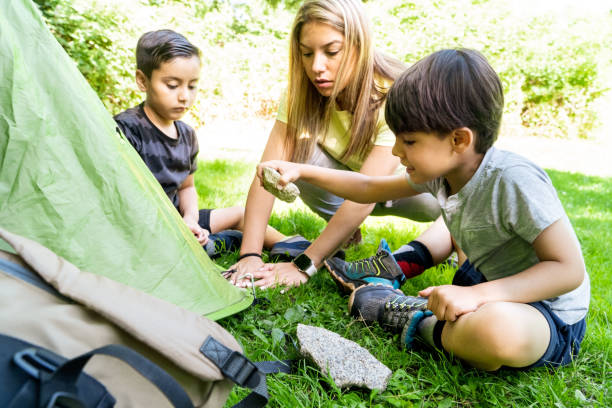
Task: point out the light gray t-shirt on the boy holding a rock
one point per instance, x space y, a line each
498 214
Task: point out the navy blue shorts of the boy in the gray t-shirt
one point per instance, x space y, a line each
565 338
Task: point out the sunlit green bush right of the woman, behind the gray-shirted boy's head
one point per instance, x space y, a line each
551 65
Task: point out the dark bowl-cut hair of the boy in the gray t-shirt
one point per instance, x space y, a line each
448 90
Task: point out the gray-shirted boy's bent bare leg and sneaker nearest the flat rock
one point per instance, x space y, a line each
496 334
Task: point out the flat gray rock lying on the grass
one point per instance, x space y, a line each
346 362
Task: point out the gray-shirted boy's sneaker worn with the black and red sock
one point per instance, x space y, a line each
378 269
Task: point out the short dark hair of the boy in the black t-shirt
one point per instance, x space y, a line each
159 46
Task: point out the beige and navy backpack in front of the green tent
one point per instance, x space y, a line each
49 305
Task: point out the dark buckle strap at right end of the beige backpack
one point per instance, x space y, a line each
244 372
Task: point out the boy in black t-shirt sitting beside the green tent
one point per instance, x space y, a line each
168 70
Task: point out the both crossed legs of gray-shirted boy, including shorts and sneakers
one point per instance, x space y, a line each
496 334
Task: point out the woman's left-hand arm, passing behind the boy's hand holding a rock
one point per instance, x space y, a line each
259 206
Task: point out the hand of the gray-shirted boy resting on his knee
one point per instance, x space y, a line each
448 302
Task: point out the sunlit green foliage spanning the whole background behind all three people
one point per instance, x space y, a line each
553 66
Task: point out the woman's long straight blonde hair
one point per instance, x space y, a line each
308 112
